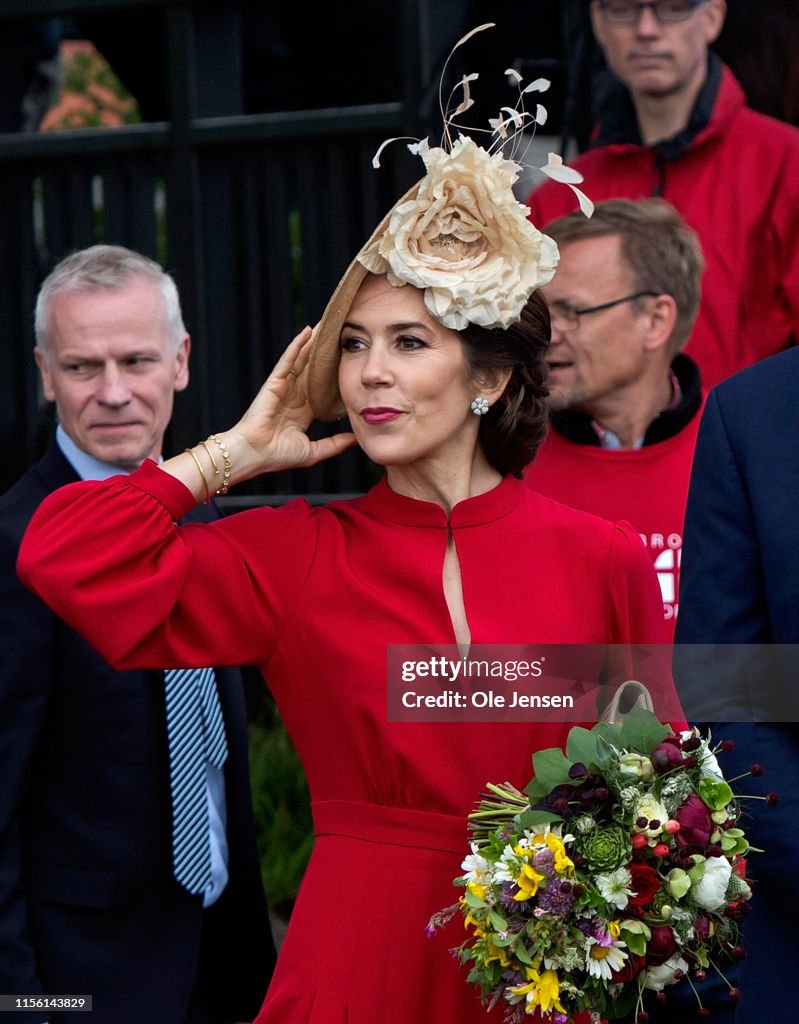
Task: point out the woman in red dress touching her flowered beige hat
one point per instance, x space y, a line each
434 348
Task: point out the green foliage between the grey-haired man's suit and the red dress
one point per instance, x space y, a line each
282 806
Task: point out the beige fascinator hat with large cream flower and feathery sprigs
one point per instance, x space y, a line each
459 235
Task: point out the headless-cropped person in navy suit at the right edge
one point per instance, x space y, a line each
739 621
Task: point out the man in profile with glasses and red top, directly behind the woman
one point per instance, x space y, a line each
625 400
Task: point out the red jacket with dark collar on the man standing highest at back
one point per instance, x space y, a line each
734 176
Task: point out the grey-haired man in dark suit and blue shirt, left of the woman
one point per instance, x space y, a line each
90 903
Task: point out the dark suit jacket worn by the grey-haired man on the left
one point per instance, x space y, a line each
89 904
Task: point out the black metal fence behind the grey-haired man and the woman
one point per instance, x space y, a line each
257 216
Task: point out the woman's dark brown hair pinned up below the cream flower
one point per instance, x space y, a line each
517 424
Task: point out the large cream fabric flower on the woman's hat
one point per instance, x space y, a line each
466 240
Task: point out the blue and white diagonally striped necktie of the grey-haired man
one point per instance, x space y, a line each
196 737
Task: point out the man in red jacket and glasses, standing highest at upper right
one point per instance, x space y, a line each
675 123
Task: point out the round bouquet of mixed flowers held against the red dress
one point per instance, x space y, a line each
620 871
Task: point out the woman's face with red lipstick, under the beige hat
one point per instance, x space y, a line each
404 380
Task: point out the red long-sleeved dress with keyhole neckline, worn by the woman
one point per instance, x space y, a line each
314 596
